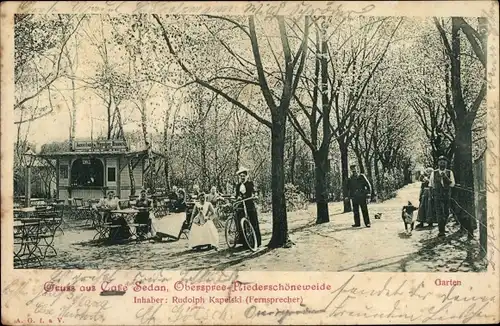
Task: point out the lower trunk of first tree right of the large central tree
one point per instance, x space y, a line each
321 186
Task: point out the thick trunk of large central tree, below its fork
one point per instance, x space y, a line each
280 226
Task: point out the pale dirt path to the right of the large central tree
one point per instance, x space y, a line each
384 247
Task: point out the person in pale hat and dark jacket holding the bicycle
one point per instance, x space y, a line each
244 190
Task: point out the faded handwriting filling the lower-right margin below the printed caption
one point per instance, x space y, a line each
347 301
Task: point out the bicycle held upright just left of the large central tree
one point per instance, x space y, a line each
231 229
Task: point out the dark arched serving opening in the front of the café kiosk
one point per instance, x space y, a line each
87 172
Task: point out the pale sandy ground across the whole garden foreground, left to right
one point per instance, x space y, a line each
335 246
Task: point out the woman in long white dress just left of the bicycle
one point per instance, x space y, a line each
203 231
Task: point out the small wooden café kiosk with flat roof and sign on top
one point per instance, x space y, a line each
92 168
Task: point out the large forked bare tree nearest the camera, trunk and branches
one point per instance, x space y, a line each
278 105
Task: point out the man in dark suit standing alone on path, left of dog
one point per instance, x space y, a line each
359 188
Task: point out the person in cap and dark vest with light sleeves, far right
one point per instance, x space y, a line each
441 182
